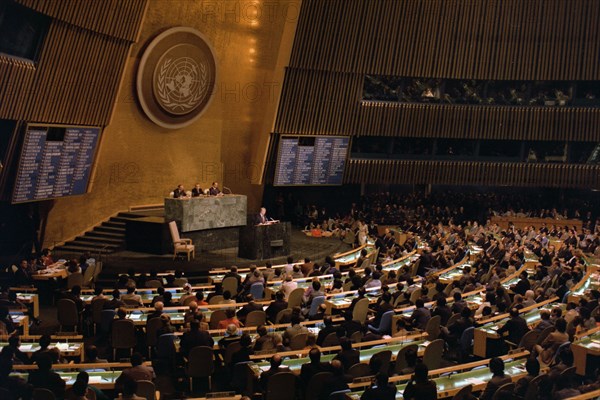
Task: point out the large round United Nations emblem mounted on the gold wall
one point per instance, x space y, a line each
176 77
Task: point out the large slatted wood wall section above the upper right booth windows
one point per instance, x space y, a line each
474 39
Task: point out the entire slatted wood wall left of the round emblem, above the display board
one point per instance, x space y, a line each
77 76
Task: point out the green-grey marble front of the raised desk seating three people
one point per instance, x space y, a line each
202 213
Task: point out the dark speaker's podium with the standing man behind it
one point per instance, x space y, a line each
260 242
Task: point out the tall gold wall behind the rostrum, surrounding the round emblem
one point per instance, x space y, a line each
140 163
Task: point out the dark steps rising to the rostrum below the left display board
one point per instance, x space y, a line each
106 238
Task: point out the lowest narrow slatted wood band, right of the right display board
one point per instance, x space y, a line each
472 173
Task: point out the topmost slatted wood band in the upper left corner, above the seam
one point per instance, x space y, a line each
116 18
